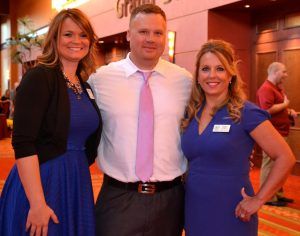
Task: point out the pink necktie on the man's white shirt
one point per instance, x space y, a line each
145 137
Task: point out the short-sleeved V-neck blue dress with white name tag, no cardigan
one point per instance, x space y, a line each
218 170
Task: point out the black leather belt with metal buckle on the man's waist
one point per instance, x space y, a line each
146 188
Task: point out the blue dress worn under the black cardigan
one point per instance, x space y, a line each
66 182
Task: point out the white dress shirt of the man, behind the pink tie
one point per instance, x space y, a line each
117 90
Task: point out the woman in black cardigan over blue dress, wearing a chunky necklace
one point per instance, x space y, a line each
57 127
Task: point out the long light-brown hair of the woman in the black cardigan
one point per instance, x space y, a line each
50 56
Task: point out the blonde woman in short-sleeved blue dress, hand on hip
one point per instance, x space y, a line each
219 132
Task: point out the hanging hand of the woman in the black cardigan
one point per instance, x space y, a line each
38 220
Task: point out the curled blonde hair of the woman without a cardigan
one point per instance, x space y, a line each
236 95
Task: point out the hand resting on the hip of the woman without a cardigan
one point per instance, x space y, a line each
247 207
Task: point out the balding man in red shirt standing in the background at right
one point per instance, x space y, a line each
272 98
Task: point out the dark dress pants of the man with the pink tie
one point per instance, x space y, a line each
122 212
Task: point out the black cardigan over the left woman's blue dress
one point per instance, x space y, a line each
42 116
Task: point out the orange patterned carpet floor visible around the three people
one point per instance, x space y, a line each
273 221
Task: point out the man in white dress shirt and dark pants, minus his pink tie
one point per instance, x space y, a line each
126 205
